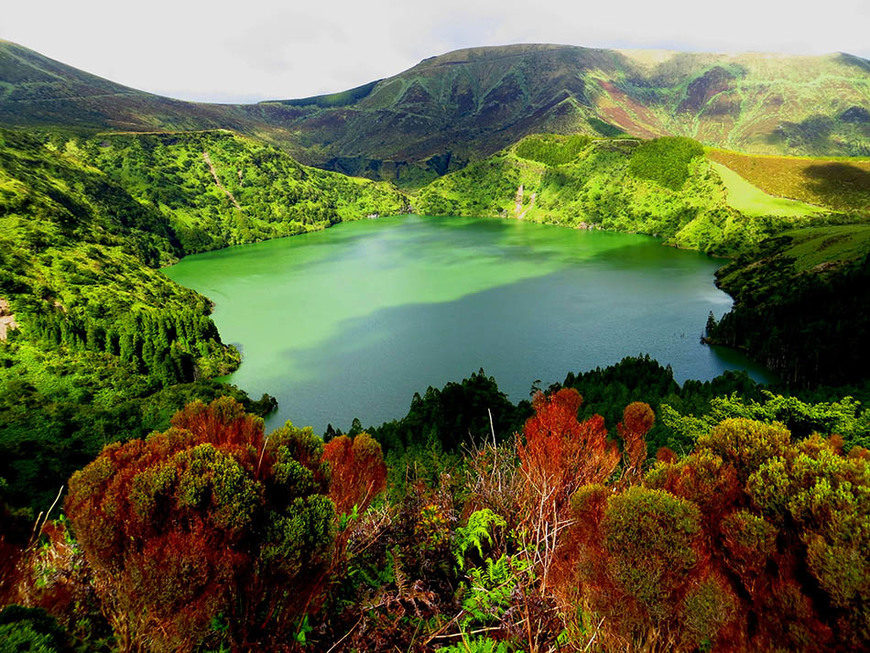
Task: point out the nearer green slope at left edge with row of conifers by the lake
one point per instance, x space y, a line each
79 256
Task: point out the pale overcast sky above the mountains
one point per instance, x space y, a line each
250 50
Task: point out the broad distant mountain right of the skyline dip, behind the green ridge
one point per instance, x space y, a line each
477 101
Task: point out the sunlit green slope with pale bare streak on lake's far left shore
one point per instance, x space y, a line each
218 188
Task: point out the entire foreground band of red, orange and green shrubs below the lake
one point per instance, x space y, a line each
568 533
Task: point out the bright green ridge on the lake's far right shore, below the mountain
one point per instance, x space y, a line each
664 187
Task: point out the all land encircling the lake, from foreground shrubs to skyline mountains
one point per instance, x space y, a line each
748 528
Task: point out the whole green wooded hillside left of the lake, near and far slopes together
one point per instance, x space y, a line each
105 346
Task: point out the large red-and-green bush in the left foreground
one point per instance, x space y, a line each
206 519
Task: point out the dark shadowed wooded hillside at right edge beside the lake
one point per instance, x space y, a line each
801 304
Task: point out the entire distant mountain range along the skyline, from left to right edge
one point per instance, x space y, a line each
468 104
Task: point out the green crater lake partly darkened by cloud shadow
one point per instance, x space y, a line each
351 321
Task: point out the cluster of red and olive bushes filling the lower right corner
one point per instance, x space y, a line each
750 543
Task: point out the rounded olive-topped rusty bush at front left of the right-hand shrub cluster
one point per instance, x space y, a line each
642 566
